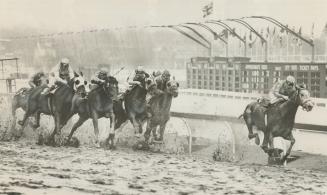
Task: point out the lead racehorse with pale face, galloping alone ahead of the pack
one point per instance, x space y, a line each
279 119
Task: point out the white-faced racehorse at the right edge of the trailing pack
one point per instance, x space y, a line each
160 106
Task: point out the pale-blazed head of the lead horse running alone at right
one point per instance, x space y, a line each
302 98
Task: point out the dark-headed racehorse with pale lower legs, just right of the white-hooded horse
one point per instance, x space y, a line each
100 103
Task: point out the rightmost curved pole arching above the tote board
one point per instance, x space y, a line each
282 26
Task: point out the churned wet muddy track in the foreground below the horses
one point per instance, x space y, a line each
30 169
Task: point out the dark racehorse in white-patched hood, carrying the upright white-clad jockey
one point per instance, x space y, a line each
58 104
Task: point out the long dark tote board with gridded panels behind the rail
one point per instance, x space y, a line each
239 74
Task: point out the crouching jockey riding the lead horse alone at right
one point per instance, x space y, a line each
282 90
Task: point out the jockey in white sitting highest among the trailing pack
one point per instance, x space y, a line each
61 73
